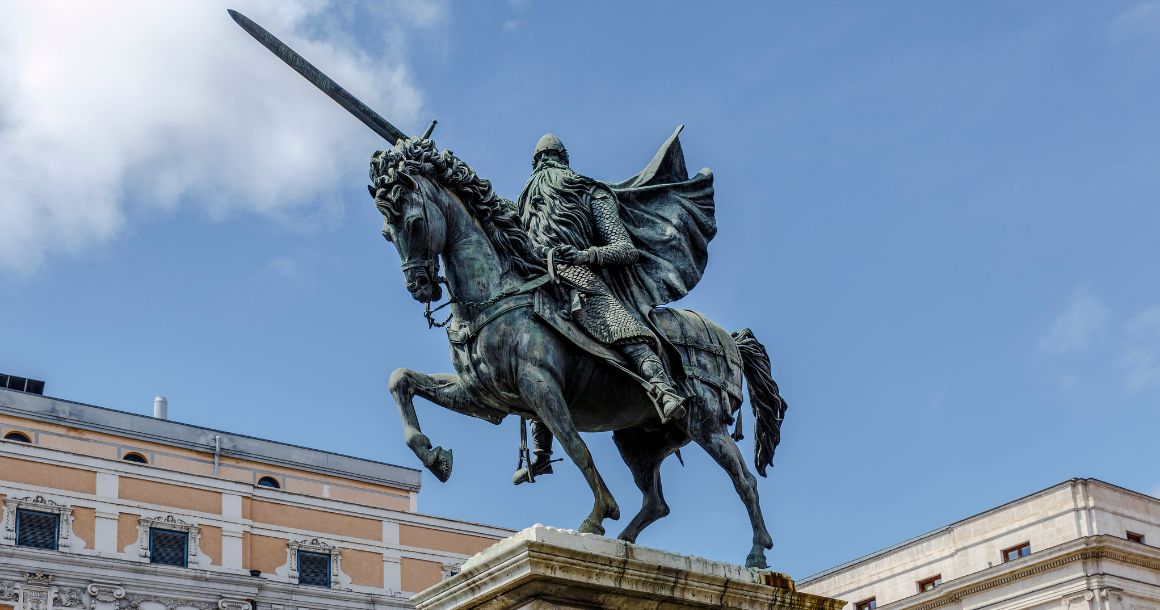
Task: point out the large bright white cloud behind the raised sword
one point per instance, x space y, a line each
108 107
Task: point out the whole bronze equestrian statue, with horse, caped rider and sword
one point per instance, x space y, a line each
556 313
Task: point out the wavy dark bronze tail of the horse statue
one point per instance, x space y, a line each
768 405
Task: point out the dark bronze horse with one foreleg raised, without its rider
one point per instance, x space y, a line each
517 354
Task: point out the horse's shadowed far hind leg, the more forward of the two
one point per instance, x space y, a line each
643 452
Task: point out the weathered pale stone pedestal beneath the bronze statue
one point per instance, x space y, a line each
542 569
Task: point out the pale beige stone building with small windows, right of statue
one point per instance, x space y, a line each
1079 546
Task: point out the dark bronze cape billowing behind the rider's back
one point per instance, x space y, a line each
671 219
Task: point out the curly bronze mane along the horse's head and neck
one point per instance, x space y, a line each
393 173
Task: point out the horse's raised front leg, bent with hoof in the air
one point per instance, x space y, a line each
444 390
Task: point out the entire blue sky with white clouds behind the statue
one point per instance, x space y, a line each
940 219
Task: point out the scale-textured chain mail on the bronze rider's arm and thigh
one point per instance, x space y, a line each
601 314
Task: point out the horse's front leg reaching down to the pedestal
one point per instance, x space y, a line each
540 391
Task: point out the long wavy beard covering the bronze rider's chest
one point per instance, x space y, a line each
554 207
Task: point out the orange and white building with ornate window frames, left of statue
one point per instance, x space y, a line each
106 510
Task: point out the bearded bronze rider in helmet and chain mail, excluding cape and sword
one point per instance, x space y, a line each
576 222
